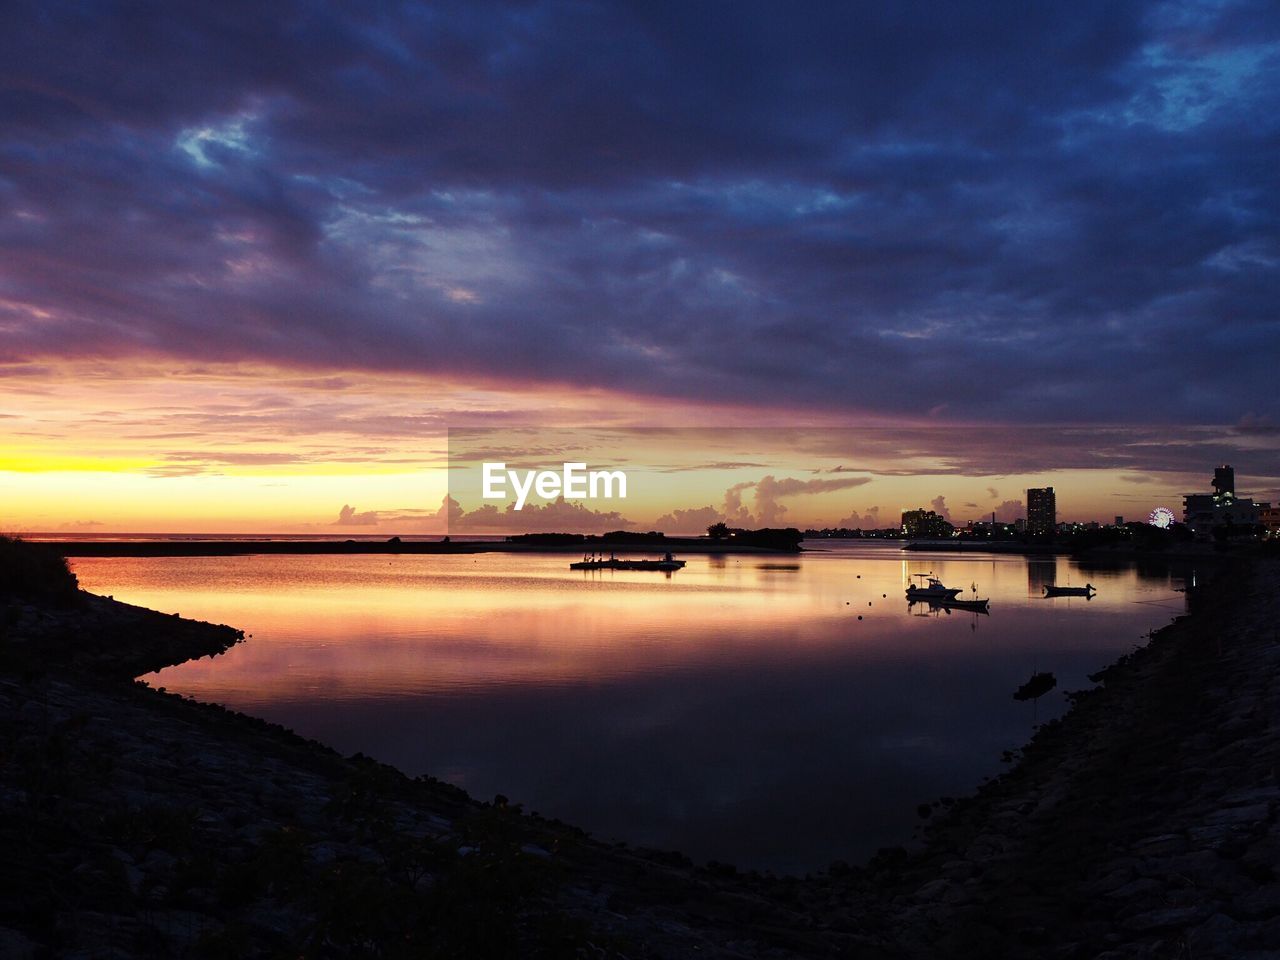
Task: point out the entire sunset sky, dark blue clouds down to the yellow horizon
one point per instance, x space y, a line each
258 259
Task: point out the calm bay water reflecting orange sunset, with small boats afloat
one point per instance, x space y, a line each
738 711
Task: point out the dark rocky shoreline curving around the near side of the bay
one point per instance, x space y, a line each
139 824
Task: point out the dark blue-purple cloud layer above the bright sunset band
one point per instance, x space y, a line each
1016 212
